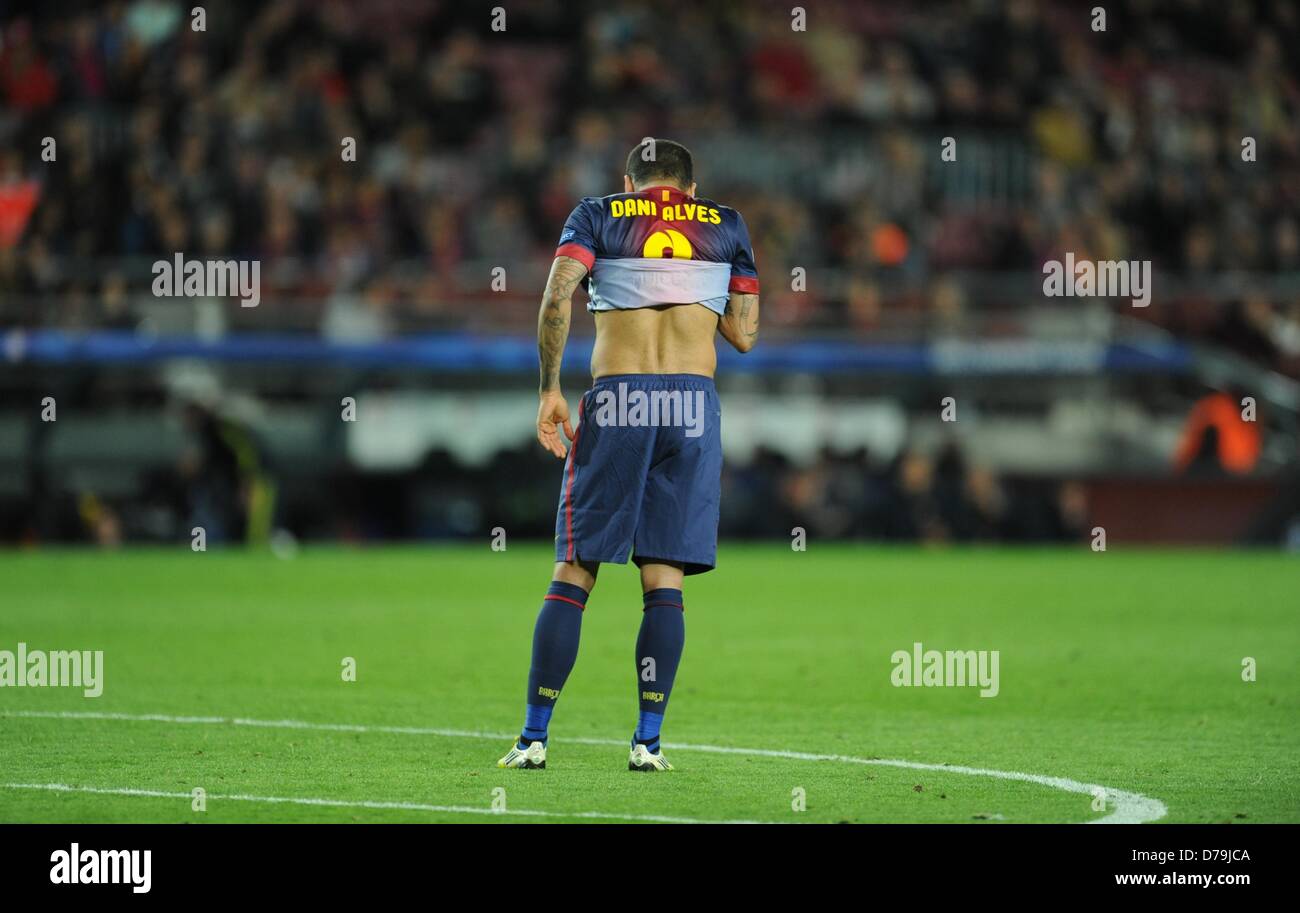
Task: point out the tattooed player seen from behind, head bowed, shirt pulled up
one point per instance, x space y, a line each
665 271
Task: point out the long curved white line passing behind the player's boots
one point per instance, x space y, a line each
1126 808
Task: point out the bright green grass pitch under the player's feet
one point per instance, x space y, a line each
1123 669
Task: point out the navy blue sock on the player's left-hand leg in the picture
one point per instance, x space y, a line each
554 652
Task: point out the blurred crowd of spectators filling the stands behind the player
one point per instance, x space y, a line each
473 146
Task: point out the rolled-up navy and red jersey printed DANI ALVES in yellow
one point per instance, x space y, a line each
660 246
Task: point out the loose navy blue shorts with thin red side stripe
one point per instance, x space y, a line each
644 474
